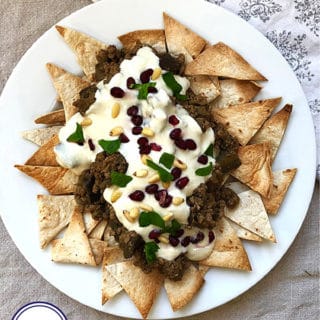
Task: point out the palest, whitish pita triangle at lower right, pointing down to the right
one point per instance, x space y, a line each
251 214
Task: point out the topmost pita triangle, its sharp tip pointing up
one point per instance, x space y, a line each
181 39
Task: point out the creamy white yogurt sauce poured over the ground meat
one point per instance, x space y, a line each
155 111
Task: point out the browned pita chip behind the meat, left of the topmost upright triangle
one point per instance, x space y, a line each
154 38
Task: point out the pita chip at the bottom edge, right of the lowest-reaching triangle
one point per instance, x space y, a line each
180 293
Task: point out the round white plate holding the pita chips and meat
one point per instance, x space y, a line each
29 93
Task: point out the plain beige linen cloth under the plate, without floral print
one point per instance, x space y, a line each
290 291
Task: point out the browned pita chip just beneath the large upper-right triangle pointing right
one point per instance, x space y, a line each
234 91
